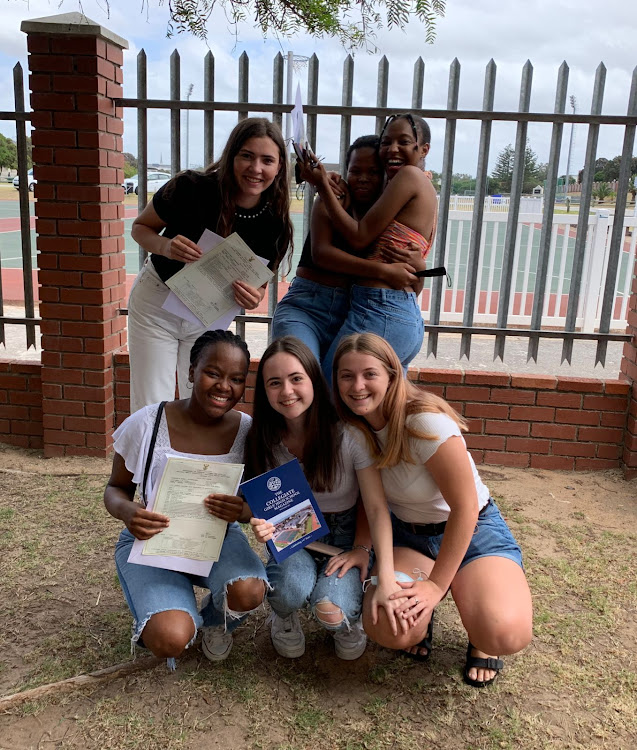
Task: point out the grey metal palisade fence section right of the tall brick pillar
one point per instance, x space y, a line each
539 317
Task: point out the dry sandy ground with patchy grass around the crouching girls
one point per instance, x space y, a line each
62 614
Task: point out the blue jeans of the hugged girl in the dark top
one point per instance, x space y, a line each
313 313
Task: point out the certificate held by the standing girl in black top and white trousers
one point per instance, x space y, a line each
205 286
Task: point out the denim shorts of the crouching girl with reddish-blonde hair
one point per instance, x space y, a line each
491 538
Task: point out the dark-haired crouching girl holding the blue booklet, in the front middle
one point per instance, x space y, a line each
294 417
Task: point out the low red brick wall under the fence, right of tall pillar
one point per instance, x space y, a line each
514 420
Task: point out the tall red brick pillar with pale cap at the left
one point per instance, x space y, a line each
76 71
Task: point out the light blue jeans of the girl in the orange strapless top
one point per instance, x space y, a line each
391 313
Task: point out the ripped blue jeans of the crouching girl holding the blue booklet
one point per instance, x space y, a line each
300 579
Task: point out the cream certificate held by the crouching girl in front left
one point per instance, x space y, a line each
193 540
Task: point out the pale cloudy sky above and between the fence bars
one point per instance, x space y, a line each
546 32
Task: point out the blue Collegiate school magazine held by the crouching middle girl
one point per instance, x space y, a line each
283 497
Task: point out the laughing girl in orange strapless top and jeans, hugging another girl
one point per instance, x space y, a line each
403 217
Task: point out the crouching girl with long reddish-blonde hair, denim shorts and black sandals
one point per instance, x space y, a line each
448 532
